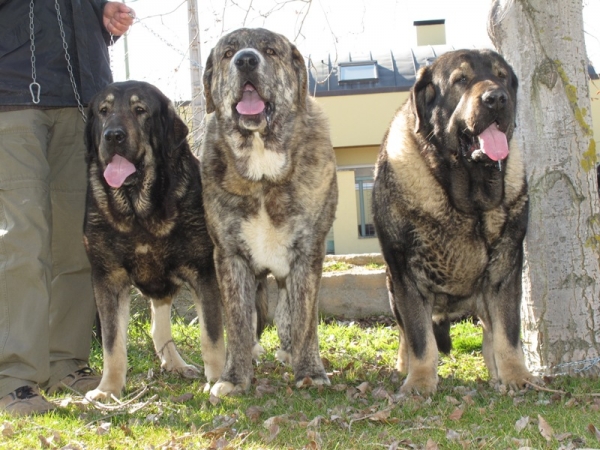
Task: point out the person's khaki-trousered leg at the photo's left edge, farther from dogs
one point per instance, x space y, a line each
25 260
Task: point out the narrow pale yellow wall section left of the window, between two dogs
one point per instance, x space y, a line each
345 226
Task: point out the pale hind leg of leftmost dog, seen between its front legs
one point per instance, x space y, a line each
163 340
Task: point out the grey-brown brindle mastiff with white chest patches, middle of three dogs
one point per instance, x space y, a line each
270 195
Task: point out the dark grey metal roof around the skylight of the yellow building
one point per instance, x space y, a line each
396 70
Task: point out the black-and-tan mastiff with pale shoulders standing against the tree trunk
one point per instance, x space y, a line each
450 206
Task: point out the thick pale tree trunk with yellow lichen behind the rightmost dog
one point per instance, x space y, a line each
543 41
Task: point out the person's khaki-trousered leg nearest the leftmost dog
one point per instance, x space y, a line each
72 307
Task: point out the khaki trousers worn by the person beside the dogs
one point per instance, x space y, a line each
46 301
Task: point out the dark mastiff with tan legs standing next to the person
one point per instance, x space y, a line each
145 226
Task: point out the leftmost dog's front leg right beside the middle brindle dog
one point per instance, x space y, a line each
207 300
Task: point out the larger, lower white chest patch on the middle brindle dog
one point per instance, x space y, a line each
268 244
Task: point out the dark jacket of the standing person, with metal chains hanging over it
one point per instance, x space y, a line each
87 41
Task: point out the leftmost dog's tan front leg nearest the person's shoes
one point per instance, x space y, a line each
113 310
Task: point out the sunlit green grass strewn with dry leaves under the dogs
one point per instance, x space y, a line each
360 410
